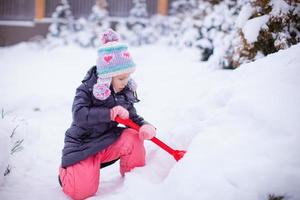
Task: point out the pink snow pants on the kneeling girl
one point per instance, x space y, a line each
81 180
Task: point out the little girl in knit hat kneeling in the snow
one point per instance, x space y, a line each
94 139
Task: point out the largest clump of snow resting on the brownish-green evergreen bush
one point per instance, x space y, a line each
253 26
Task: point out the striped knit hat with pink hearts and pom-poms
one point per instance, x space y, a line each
113 60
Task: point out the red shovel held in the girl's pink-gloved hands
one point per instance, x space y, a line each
177 154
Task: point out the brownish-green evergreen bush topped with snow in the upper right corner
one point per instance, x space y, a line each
272 25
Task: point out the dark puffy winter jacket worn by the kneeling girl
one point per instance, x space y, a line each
92 129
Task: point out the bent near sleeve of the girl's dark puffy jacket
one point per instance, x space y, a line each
84 113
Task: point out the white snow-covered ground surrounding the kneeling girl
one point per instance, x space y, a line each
241 128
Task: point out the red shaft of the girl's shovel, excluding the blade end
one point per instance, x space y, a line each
131 124
